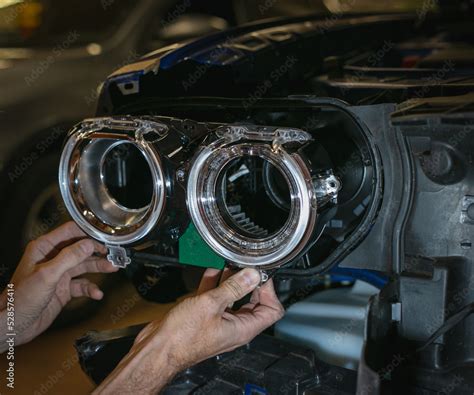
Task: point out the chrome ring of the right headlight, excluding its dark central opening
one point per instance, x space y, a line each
273 250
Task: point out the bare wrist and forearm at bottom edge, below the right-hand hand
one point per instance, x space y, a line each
141 371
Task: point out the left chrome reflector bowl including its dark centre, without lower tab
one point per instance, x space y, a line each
111 178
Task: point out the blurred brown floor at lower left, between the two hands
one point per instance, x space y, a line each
49 365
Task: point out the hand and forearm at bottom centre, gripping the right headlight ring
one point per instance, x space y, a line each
198 328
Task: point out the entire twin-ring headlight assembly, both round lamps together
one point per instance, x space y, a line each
256 195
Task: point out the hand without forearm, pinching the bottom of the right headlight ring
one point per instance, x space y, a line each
204 326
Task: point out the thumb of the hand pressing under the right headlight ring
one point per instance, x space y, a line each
236 287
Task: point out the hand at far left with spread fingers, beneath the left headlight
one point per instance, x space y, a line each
46 279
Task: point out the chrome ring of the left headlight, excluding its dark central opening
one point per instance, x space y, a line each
86 197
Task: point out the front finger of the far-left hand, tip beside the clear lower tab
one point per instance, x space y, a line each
70 257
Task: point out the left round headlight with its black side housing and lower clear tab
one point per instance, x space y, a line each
117 181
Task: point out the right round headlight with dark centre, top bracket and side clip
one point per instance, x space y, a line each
255 197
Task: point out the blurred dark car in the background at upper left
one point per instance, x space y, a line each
53 57
